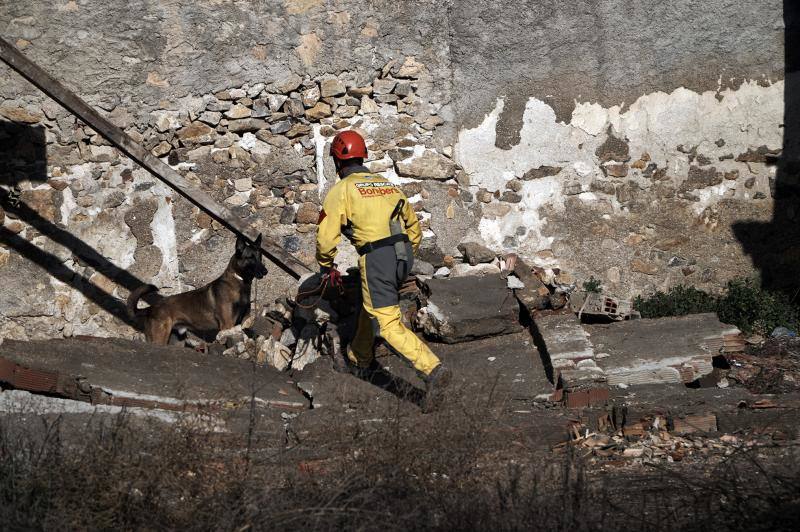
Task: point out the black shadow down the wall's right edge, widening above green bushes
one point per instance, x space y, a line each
775 246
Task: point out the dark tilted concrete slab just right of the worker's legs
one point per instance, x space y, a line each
461 309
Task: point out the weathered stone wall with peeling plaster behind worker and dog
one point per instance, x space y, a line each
604 138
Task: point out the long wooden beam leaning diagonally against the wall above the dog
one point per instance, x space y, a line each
70 101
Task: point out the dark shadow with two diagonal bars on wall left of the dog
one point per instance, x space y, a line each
23 157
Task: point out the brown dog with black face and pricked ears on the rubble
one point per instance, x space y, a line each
219 305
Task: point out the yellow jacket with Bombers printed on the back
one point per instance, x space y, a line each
360 206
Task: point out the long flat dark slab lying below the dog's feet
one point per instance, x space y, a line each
134 374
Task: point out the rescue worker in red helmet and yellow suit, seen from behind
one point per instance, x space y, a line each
380 222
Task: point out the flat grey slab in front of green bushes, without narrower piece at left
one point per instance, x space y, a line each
665 350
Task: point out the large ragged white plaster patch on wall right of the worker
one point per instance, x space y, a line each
656 124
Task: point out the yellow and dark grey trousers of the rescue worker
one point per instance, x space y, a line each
381 276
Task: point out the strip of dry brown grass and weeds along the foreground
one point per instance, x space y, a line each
445 472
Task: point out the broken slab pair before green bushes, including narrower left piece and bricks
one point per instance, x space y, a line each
586 359
